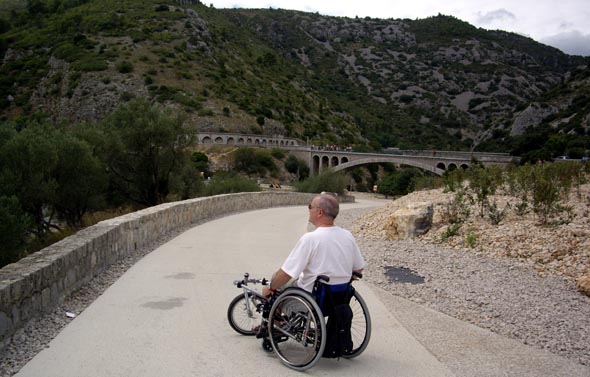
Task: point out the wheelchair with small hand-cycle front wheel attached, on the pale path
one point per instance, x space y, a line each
294 321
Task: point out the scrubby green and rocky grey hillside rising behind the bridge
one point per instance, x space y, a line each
432 83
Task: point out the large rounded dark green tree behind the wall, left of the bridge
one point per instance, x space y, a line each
144 148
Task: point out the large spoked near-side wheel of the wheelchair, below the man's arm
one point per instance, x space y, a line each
296 329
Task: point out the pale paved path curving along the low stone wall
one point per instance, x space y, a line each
167 315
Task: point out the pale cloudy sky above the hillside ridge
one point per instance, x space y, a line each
564 24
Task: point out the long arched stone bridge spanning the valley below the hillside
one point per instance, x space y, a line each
436 162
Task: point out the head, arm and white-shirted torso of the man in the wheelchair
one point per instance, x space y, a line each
328 250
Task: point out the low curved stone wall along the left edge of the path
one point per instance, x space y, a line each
41 281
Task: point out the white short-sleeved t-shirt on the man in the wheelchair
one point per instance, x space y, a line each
330 251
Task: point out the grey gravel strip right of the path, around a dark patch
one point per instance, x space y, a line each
504 295
